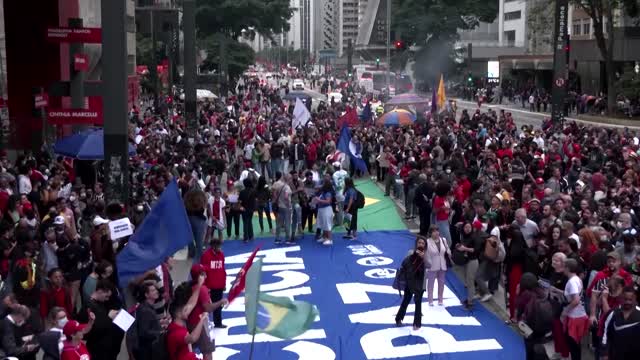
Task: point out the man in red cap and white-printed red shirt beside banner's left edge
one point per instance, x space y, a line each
213 262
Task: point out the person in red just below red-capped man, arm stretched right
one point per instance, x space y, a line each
204 305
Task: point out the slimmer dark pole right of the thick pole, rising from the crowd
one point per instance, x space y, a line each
189 25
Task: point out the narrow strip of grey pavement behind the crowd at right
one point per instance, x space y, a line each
594 120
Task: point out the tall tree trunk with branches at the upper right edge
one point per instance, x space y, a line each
598 11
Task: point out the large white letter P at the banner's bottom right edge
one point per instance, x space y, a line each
379 344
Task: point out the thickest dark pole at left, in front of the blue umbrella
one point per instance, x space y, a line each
114 82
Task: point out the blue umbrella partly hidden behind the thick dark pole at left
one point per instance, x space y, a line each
86 145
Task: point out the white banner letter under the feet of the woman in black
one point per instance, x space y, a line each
430 316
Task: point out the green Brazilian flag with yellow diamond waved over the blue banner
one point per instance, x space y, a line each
274 315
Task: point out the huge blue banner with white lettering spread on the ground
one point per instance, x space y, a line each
351 285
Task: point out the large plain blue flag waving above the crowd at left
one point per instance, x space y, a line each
165 230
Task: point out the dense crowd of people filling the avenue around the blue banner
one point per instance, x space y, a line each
551 210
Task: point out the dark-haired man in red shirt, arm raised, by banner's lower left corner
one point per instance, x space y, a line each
179 339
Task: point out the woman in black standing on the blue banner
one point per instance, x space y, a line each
412 272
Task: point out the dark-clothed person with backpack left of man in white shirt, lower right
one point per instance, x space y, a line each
535 316
